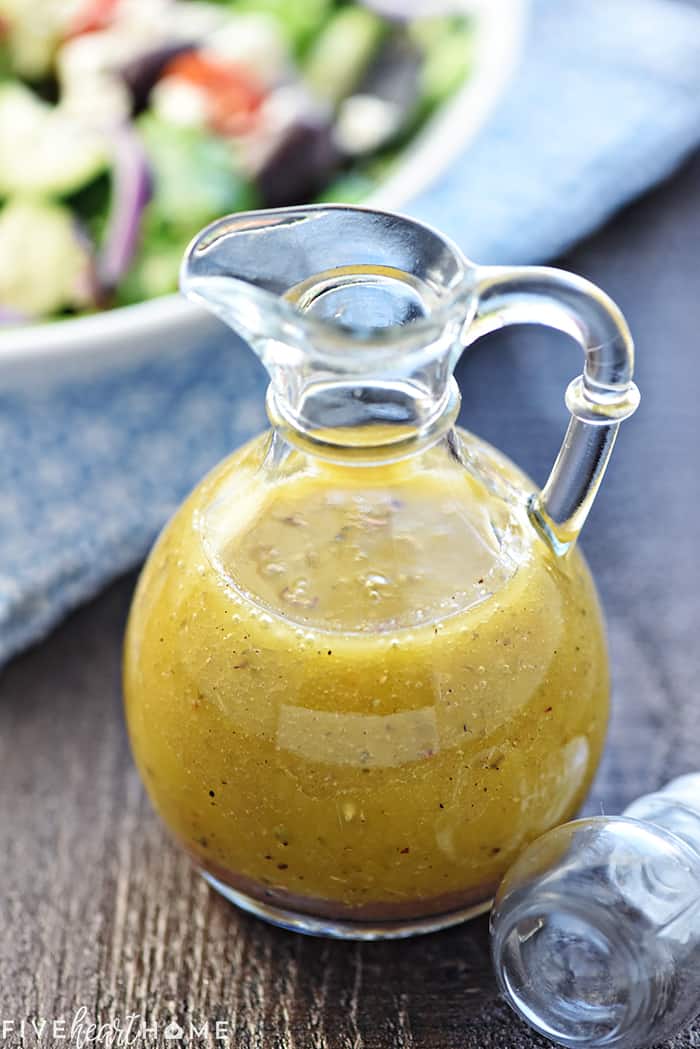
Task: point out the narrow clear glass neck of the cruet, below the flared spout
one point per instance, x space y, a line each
376 395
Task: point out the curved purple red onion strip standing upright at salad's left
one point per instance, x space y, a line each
132 191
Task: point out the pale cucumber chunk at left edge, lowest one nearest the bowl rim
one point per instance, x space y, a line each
45 267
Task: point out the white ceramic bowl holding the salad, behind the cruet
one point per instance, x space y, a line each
58 351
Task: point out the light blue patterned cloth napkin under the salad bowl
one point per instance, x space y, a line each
606 102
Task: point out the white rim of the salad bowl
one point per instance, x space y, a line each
500 28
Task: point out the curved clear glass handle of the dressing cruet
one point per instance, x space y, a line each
599 400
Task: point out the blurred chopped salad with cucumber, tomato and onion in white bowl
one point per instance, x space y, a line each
126 125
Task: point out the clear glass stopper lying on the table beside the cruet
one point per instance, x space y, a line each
597 927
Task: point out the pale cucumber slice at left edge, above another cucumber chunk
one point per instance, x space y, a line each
44 151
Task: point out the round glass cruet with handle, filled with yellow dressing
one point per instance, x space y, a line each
366 663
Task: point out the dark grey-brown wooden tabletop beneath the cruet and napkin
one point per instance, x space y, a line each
99 912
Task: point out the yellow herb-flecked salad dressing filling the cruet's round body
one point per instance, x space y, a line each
360 691
